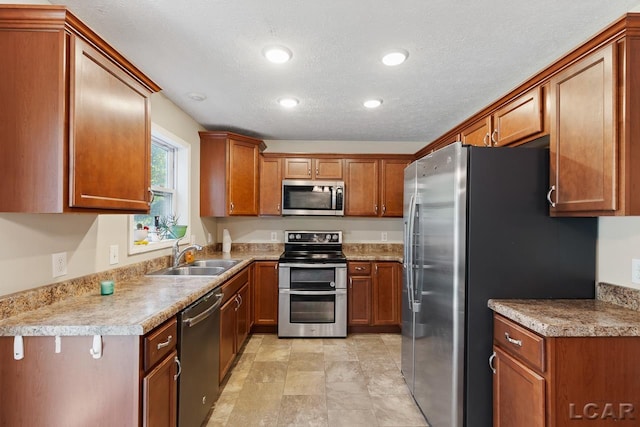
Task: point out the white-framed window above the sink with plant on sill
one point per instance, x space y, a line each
170 185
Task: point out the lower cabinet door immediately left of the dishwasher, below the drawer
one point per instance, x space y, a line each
160 394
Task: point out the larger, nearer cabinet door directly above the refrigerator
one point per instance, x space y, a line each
519 119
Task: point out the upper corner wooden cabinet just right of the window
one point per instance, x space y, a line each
229 174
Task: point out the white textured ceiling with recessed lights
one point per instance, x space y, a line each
463 54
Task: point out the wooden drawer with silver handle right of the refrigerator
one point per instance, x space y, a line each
519 342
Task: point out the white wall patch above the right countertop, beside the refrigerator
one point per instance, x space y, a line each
618 244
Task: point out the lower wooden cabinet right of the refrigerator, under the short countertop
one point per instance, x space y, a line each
563 381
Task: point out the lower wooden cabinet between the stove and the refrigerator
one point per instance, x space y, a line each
373 294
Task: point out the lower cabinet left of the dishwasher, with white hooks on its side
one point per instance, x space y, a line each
134 382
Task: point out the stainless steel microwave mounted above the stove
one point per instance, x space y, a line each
302 197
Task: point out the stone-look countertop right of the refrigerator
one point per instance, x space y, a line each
570 317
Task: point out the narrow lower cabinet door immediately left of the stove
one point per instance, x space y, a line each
266 293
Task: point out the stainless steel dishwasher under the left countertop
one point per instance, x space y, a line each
199 353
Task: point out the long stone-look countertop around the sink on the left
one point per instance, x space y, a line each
136 307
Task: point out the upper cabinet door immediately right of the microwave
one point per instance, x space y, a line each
361 190
